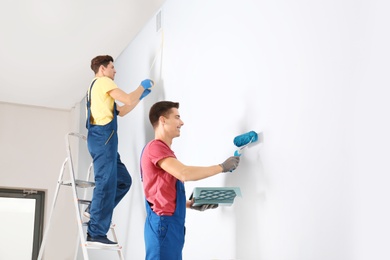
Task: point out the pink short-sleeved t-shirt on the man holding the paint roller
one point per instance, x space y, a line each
159 186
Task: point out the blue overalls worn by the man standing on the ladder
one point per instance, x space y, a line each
112 180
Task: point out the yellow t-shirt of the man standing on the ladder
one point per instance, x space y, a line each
102 104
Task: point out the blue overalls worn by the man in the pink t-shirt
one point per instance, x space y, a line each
164 235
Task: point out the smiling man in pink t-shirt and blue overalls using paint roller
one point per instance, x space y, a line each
163 177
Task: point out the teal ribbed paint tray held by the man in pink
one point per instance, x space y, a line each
223 196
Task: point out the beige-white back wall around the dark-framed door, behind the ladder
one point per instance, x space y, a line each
32 151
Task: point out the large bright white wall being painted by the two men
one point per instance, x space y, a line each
309 75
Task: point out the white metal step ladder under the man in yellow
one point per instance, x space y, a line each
79 202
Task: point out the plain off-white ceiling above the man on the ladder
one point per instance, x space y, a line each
46 45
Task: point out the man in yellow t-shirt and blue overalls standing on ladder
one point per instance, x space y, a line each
112 180
